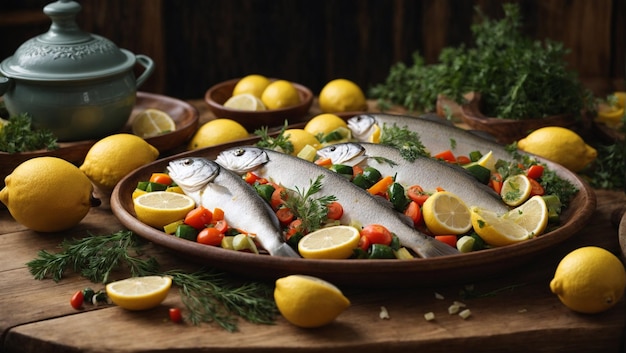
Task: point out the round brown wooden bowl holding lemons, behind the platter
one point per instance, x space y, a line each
218 94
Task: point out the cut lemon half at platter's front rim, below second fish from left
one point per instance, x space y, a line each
336 242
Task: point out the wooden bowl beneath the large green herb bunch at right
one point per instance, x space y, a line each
507 131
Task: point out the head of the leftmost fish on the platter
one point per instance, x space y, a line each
193 173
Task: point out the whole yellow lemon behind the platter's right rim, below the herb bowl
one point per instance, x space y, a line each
560 145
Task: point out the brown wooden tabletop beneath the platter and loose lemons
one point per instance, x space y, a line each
35 316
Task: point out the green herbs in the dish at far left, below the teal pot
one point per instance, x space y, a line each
18 136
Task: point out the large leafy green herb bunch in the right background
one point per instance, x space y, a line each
518 78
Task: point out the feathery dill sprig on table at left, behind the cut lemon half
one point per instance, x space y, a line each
94 257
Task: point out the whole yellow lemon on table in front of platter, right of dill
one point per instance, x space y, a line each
307 301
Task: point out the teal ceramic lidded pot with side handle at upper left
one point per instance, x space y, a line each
78 85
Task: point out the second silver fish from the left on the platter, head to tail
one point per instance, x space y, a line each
293 172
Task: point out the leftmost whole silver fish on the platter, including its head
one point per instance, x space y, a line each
212 186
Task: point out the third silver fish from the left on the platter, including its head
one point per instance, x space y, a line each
424 171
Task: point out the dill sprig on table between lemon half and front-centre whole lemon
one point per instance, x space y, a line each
210 298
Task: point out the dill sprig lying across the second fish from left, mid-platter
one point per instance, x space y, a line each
312 211
